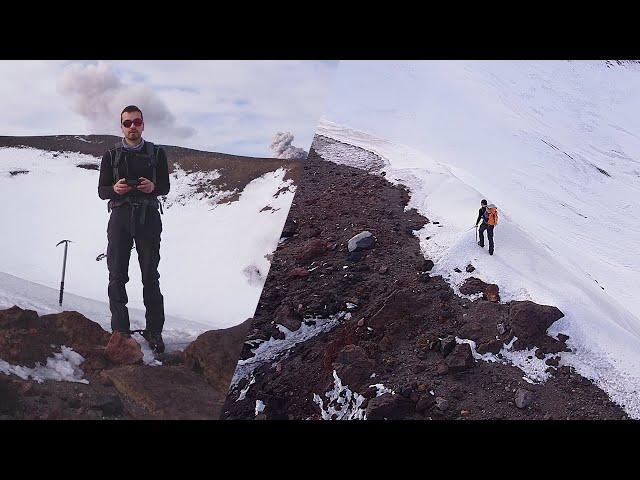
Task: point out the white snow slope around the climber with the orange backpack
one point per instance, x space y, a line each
556 146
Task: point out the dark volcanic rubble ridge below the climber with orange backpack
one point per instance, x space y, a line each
367 332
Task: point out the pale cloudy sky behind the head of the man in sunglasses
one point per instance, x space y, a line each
226 106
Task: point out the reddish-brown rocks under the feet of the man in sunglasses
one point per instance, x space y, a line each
64 366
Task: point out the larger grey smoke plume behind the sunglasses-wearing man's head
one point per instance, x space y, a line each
99 95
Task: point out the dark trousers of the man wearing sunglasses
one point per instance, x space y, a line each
121 235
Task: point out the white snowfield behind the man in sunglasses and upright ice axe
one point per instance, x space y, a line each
213 253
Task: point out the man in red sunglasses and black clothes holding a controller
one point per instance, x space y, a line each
132 175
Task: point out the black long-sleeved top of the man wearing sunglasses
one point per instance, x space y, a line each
138 166
